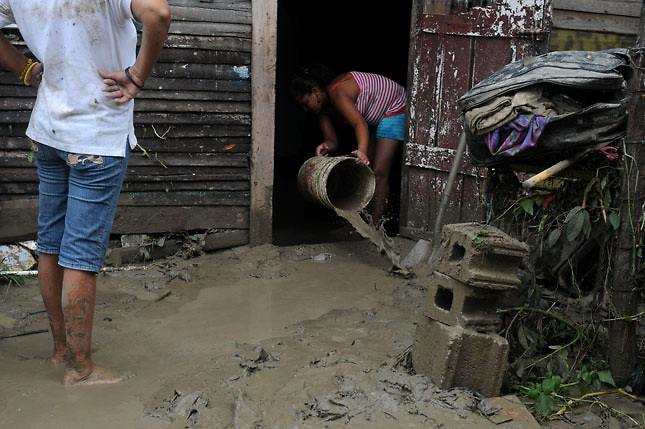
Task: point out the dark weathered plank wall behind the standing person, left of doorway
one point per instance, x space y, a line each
193 121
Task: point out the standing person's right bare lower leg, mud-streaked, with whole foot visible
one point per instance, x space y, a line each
78 295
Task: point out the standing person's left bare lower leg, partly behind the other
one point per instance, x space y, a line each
50 278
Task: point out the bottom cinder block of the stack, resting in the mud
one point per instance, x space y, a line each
455 357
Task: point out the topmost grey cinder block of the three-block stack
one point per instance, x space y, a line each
480 255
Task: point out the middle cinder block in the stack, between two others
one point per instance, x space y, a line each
455 303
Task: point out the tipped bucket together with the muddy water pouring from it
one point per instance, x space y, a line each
339 183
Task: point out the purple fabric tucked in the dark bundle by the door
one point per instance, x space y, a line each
518 135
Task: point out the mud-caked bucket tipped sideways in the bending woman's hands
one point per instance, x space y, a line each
336 182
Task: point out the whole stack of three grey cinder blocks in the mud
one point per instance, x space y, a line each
455 343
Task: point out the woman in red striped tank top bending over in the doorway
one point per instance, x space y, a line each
372 104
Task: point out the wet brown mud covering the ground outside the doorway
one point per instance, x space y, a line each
304 336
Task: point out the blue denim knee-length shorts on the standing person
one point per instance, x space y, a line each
78 195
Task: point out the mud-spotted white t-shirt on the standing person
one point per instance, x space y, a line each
72 38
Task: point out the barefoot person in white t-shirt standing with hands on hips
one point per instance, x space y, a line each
87 73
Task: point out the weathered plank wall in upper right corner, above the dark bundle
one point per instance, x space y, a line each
593 25
